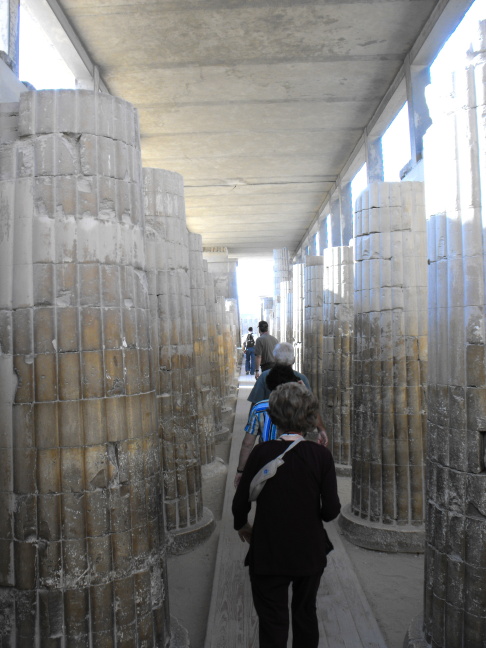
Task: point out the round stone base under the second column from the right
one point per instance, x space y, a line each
381 537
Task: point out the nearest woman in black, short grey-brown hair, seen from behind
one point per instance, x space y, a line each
288 541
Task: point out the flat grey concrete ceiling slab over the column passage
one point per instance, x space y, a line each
258 104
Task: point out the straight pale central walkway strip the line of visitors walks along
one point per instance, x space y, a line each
345 617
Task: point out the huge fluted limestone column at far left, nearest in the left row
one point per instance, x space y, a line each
82 558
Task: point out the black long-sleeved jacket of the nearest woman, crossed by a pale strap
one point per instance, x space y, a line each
288 535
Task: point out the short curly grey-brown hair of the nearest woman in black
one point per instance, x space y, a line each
293 408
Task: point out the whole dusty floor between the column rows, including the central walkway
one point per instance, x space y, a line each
366 598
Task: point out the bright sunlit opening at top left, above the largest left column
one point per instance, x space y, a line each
39 61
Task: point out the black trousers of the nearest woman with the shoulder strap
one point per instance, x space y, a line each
270 597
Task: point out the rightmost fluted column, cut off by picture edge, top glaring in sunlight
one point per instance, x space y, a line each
455 169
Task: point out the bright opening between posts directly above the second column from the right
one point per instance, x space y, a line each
395 144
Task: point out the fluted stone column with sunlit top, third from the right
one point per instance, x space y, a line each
337 381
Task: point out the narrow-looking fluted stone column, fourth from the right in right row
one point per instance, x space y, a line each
313 325
